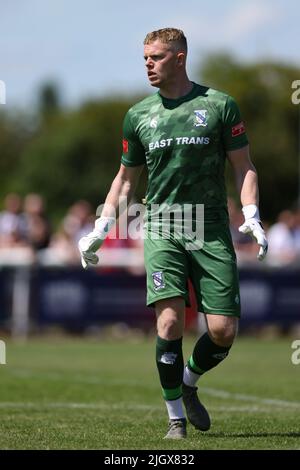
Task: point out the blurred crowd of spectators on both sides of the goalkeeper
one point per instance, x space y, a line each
26 235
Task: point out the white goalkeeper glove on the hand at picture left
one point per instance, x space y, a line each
89 244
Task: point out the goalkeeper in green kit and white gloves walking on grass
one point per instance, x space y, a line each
184 134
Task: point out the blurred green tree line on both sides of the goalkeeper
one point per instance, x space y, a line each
74 154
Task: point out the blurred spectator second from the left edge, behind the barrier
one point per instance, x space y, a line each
37 226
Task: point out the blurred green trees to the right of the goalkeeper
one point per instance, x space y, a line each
263 92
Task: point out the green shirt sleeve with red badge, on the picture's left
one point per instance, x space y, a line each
133 151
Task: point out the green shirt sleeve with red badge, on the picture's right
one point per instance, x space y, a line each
234 131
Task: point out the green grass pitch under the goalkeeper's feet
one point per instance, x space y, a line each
105 394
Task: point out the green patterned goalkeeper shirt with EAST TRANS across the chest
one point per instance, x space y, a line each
183 143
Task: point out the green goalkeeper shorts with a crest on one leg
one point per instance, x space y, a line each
212 270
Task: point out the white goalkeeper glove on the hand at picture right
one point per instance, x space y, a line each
253 226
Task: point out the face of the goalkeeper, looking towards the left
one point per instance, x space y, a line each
161 63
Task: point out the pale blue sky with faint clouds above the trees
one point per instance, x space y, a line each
94 47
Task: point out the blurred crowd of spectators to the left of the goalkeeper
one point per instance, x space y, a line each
27 235
